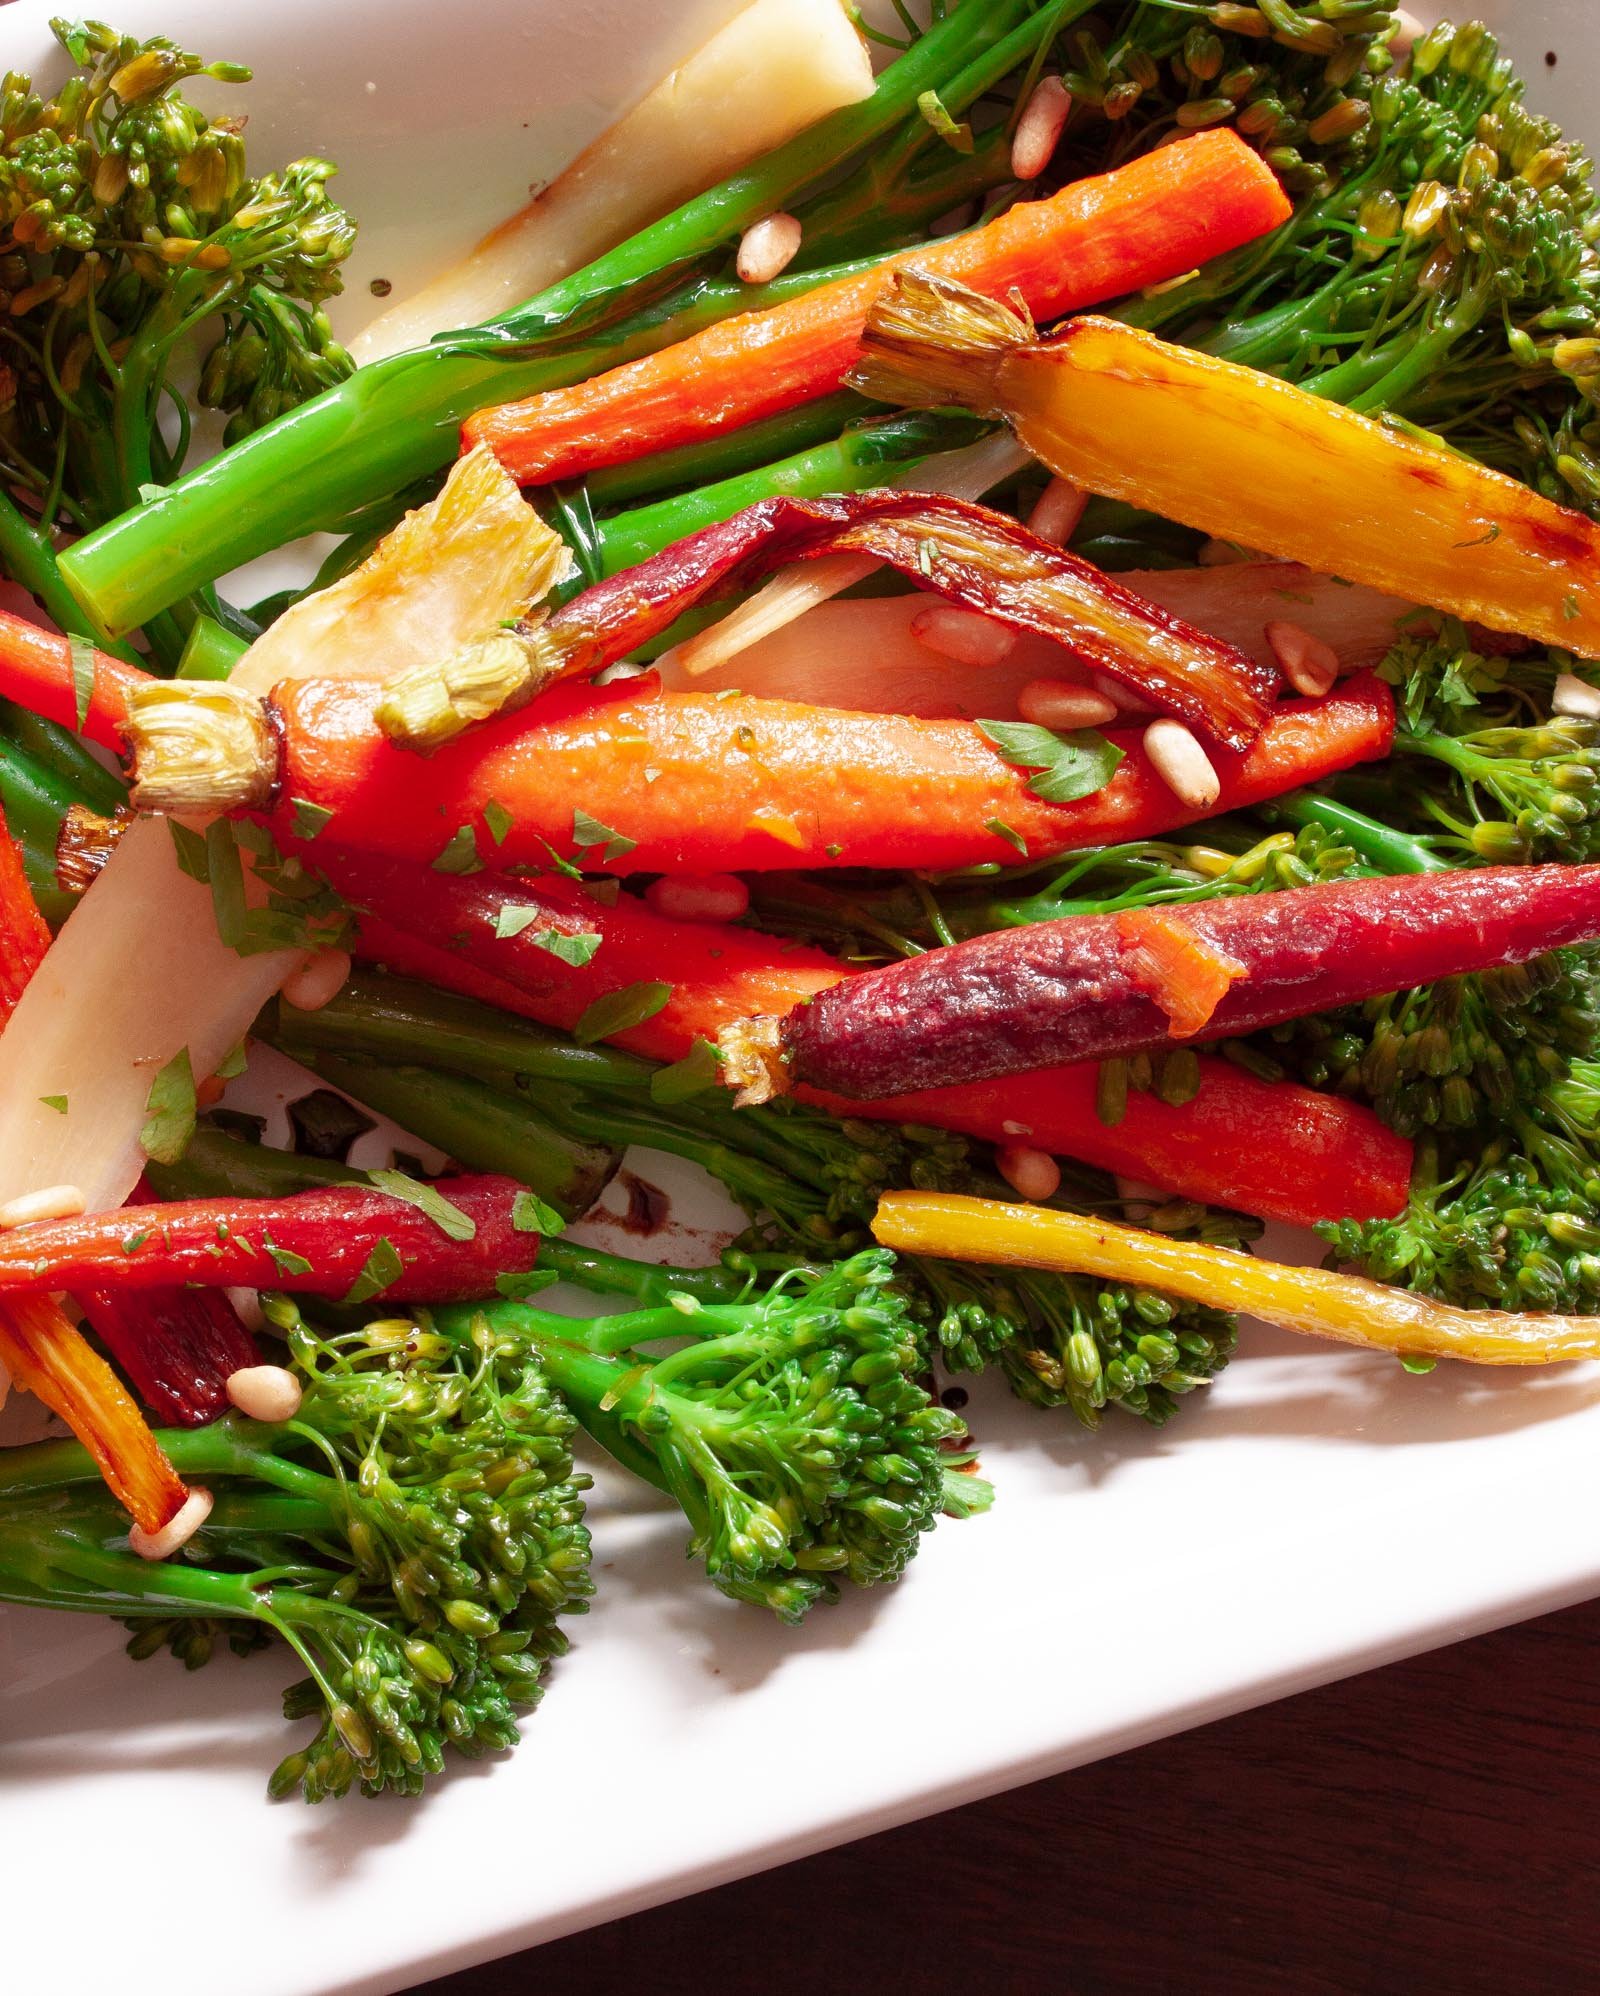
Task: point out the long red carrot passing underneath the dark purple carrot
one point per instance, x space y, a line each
1268 1149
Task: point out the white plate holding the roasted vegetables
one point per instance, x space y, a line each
1318 1514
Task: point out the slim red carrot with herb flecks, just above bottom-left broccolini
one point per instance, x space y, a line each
424 1245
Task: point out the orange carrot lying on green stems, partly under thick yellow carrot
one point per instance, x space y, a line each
1146 223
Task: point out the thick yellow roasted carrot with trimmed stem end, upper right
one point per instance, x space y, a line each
1252 458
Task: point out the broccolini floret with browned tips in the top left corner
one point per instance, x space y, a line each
139 235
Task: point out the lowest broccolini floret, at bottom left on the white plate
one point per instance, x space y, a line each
416 1536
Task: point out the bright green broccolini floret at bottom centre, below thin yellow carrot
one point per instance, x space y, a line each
793 1430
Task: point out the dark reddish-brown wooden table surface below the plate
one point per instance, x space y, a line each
1429 1829
